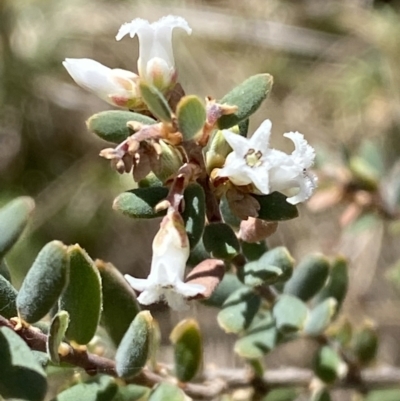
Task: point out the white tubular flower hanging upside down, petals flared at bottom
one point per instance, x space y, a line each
170 253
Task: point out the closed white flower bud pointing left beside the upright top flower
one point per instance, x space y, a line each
115 86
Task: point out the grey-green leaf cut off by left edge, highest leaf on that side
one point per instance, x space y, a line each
13 219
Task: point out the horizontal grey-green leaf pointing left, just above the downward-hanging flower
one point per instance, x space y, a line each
139 203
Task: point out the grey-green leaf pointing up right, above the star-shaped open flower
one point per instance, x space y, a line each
248 97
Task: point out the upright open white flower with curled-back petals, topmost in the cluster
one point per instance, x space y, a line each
156 59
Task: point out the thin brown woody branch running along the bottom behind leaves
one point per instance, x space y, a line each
216 381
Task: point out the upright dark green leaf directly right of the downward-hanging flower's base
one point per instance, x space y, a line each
194 213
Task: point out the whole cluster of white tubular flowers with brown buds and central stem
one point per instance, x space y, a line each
180 143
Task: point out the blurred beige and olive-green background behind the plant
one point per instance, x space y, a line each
336 68
